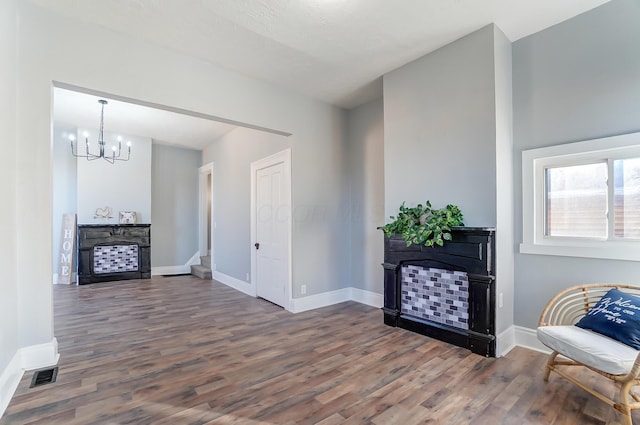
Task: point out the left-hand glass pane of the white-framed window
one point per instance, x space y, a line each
576 201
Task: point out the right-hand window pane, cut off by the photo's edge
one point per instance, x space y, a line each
626 198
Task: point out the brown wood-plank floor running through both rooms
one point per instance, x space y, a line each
181 350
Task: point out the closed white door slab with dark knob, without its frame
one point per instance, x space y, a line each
271 242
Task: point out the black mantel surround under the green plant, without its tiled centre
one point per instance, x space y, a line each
472 251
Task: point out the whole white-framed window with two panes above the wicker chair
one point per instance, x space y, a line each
583 199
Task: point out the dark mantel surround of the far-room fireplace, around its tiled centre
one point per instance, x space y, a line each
91 236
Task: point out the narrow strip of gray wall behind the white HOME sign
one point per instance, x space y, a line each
64 185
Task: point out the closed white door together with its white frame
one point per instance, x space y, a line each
271 228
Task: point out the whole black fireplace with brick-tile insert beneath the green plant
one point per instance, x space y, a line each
447 292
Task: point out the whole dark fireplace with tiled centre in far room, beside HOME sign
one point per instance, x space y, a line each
113 252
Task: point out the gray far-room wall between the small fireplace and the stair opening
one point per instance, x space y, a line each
174 204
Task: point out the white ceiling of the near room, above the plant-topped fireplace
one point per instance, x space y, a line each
332 50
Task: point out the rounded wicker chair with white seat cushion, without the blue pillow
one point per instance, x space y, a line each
589 349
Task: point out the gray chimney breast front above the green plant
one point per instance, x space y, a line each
440 130
